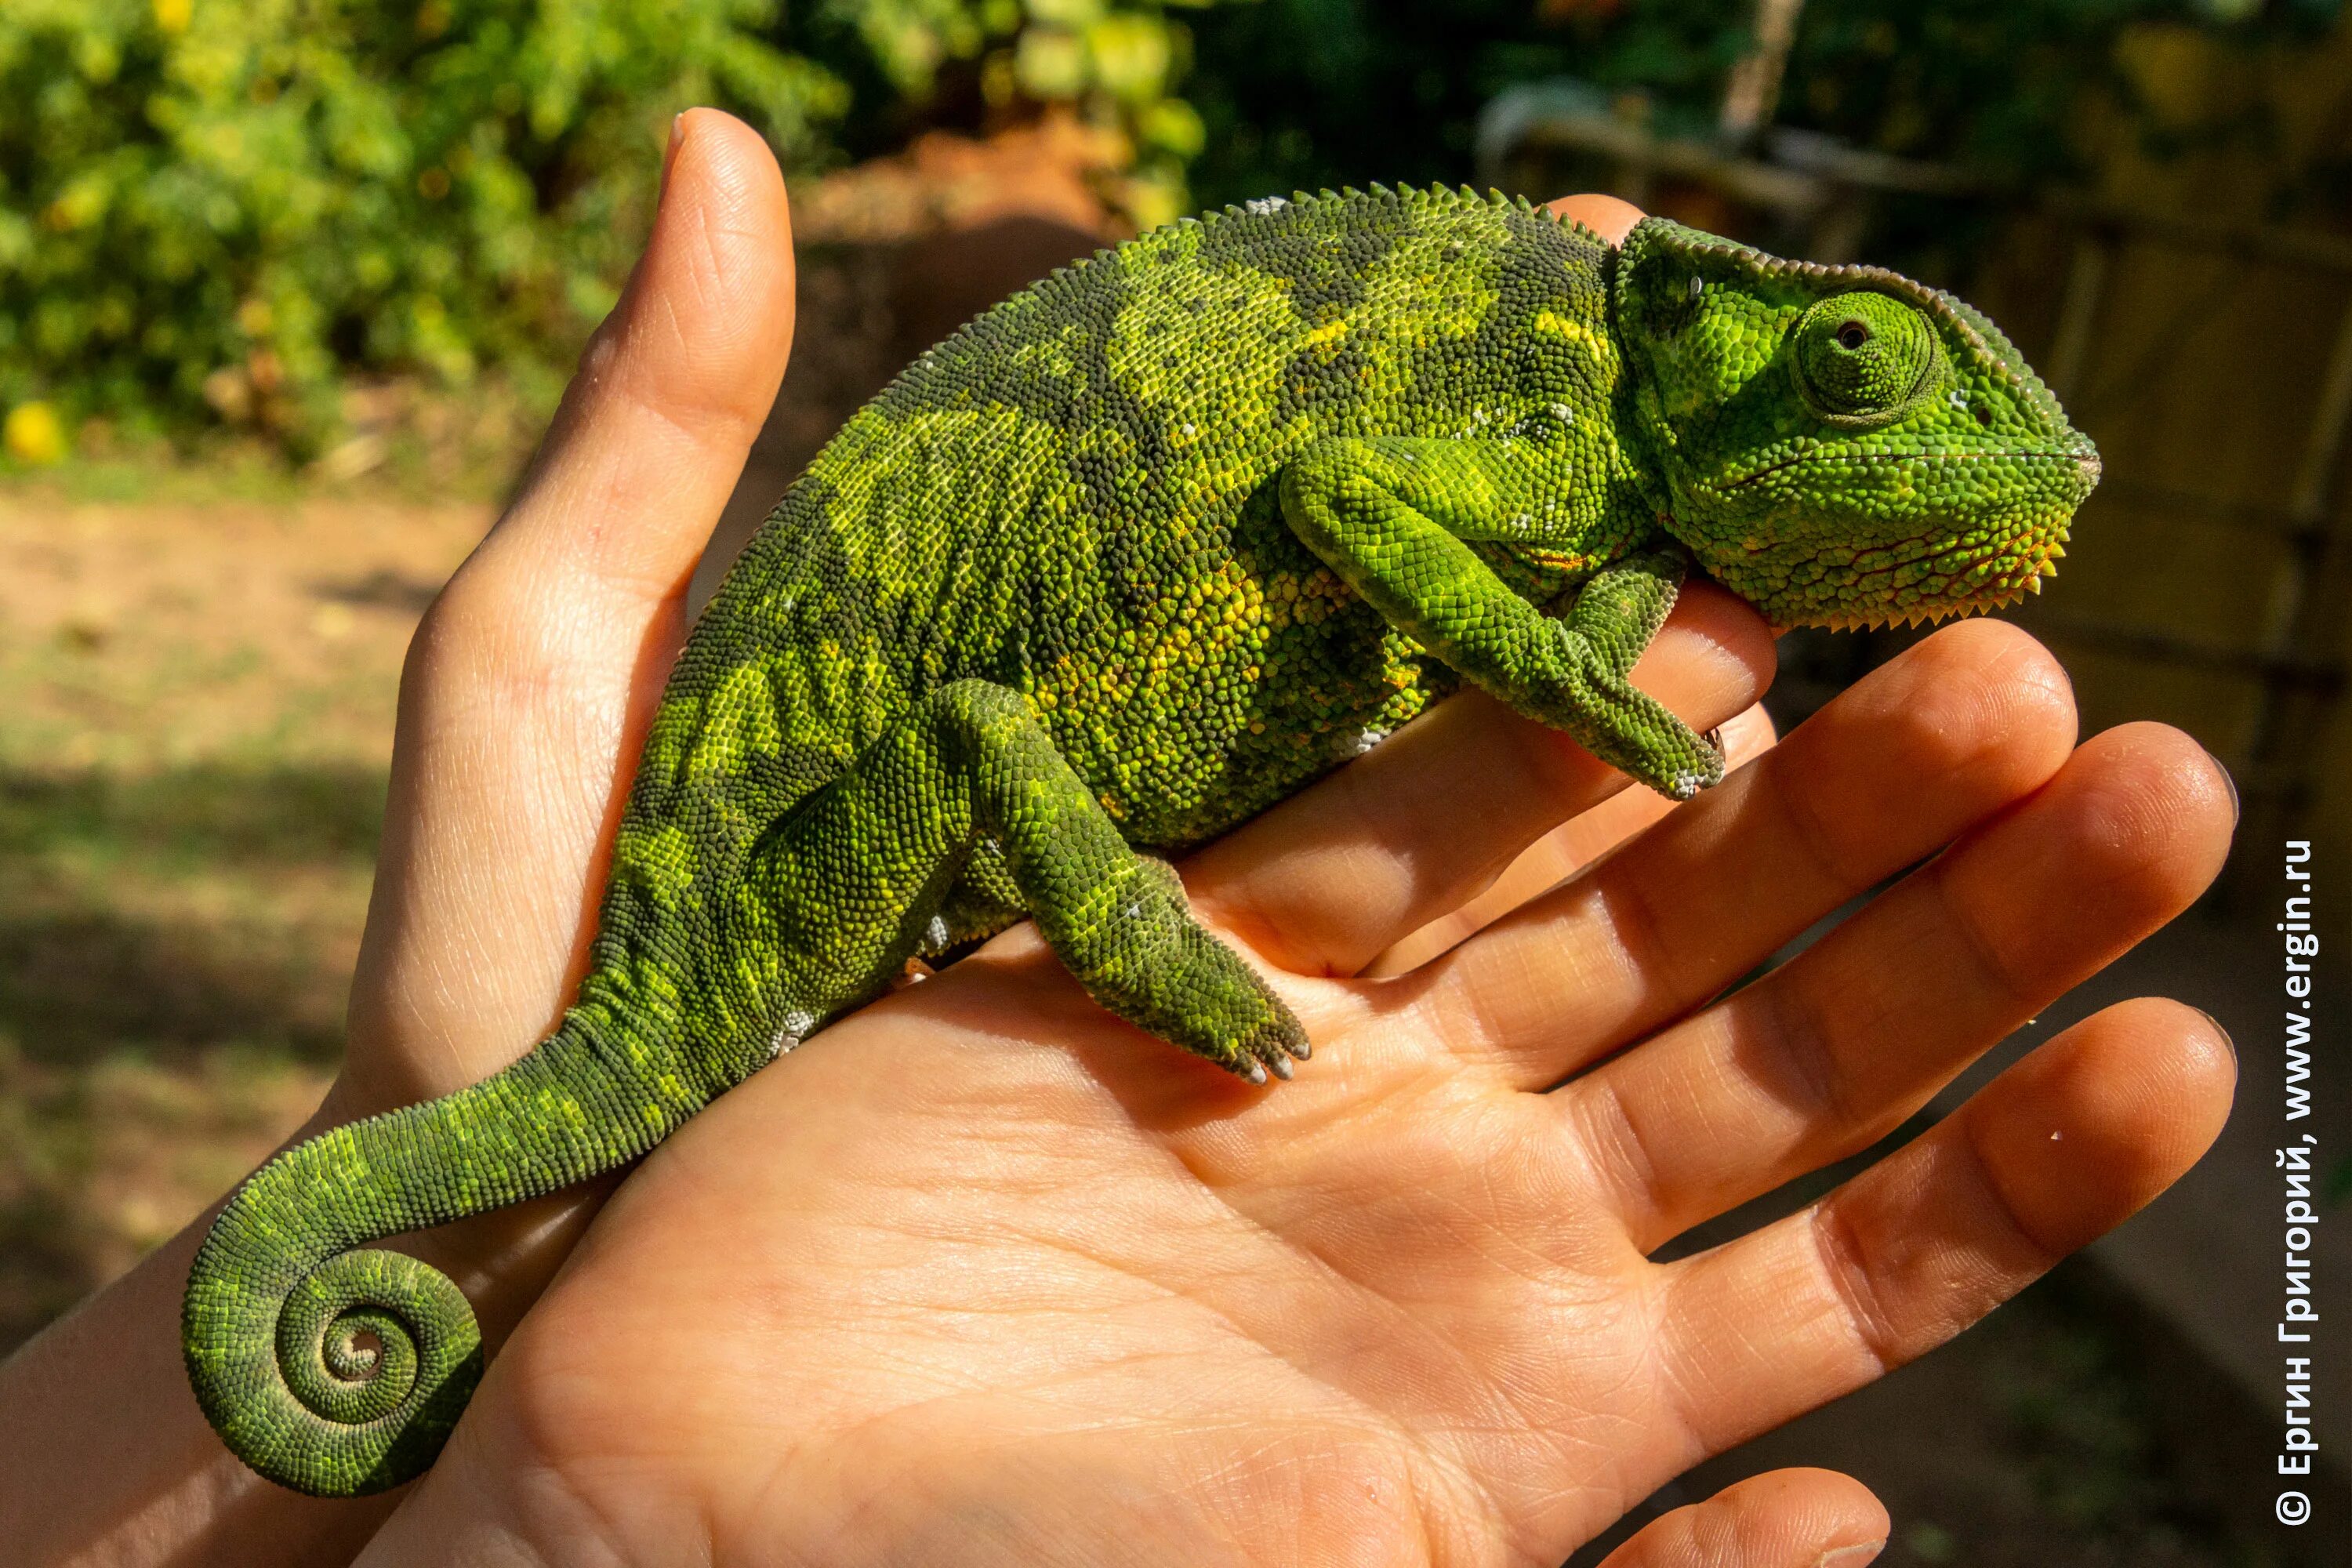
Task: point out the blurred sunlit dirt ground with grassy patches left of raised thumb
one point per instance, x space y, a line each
196 711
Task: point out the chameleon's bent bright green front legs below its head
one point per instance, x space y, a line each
1394 516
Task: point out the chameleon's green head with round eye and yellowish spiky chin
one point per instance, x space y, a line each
1843 445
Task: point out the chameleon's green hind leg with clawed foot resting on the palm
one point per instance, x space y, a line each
850 885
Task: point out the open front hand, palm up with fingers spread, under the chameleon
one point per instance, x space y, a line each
984 1275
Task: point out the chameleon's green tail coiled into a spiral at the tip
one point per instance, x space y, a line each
281 1308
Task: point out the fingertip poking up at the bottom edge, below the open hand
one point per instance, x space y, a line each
1779 1520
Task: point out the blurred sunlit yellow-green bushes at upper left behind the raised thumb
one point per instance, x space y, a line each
222 210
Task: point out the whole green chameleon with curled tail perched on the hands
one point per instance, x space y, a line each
1123 563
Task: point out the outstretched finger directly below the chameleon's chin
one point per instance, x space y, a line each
1899 765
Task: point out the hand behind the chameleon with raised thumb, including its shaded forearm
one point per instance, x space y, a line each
523 706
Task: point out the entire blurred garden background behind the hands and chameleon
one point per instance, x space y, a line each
288 290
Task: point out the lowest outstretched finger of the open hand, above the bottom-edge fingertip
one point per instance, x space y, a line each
2047 1158
